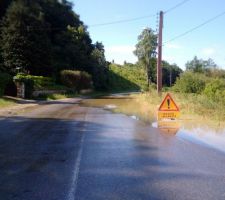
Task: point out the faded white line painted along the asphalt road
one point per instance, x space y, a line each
73 188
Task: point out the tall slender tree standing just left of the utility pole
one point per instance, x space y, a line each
146 50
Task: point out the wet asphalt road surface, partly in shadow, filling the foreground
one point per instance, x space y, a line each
62 151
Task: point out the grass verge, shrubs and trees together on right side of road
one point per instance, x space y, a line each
199 92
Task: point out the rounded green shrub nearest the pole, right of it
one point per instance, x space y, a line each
190 82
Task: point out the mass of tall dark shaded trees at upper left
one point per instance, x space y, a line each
43 37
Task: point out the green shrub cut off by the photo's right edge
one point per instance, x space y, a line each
215 90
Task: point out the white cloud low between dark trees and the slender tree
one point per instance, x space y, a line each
120 53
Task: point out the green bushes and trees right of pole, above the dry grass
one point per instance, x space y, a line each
204 78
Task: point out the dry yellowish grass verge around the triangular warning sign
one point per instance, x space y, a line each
192 106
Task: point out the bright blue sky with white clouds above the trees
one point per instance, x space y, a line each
120 39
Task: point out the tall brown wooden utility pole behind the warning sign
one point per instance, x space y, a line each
159 60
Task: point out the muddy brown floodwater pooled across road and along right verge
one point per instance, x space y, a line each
207 134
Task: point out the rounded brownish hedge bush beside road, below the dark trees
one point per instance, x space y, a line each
76 80
